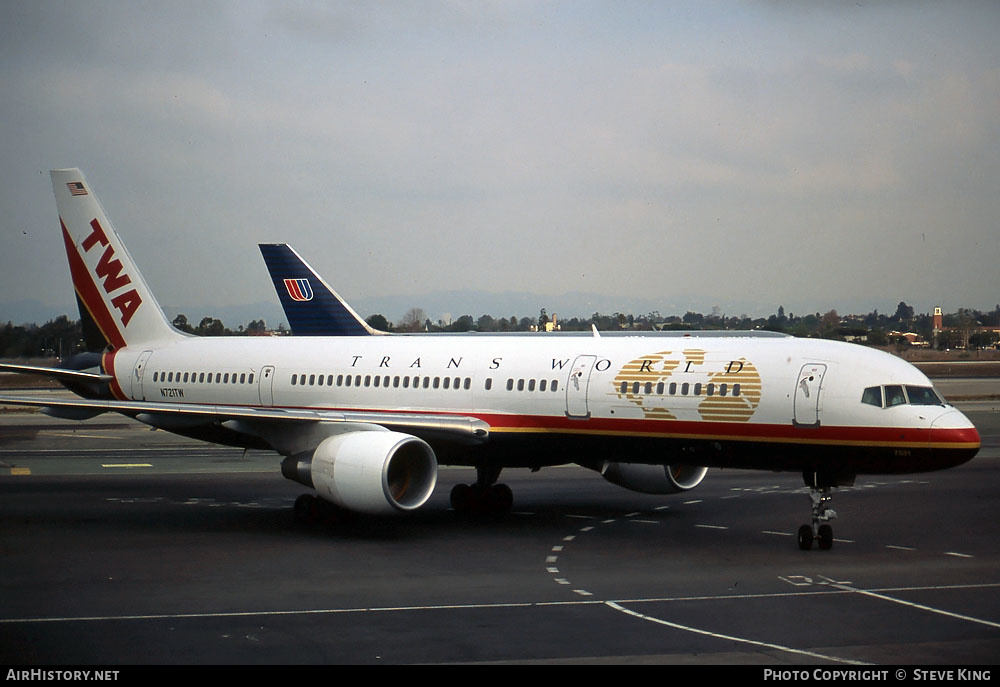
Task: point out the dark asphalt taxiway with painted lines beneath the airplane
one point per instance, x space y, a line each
120 545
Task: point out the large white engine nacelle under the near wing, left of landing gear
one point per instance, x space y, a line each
368 472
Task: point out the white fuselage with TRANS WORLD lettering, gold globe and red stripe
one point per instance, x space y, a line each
791 392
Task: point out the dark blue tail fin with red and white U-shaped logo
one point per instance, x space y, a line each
311 306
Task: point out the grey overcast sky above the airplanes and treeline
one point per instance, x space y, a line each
815 155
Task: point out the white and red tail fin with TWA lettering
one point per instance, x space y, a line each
109 287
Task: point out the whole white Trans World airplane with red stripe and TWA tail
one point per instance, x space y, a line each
365 420
